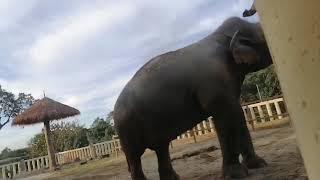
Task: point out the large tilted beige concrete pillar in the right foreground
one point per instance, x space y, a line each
292 29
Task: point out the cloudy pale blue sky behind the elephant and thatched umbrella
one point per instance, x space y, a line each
82 53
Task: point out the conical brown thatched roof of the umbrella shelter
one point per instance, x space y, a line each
45 109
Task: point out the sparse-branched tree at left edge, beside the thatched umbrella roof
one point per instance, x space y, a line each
11 106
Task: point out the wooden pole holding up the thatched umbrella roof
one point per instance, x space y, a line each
51 154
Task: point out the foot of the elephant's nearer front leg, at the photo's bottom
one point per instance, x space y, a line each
235 171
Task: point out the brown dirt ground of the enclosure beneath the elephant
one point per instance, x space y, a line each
202 160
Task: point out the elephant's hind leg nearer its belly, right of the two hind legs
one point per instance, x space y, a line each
165 168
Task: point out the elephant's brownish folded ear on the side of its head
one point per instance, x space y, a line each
243 51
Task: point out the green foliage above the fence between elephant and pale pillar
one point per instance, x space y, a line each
267 82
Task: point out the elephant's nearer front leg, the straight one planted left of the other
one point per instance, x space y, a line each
227 126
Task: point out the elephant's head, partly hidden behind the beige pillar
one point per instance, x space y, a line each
248 45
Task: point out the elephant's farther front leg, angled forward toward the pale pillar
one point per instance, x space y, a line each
250 158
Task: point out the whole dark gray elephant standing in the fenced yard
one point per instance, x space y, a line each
174 91
